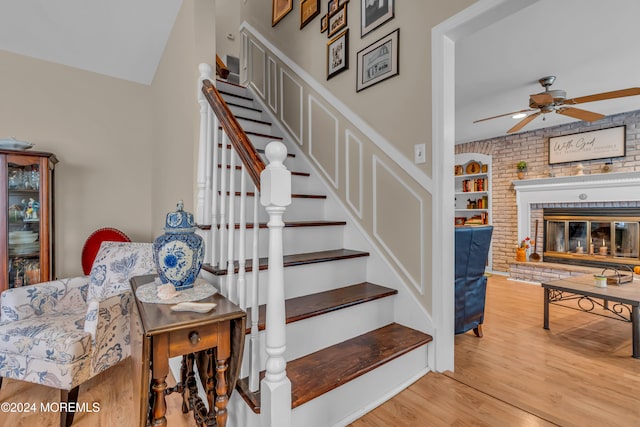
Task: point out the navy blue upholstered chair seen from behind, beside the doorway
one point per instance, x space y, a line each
472 250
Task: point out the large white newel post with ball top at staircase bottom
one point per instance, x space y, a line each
275 391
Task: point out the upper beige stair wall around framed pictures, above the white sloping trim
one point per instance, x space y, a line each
399 108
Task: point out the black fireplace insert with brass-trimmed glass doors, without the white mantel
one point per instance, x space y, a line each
594 236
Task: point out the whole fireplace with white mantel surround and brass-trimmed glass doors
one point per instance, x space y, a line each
578 211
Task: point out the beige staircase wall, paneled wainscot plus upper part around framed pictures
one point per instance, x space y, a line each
393 208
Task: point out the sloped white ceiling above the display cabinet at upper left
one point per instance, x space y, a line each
119 38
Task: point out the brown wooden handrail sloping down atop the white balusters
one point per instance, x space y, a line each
238 138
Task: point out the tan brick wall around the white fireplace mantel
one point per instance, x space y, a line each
533 148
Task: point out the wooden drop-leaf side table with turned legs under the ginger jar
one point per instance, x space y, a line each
214 340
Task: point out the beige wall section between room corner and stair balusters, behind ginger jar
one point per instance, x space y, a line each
176 110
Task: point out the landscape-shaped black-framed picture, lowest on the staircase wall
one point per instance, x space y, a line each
378 61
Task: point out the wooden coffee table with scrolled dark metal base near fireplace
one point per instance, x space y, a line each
619 302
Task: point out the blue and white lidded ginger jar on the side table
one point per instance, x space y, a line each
179 252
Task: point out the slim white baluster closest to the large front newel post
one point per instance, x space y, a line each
254 367
